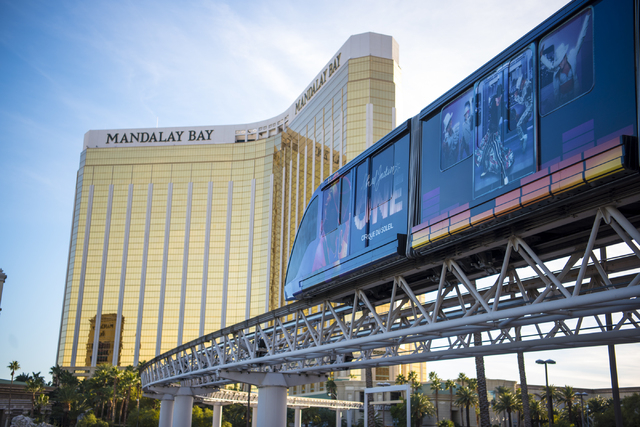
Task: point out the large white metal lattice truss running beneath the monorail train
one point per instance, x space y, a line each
590 300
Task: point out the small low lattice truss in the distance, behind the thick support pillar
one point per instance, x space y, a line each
228 397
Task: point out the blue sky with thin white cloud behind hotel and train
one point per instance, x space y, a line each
69 66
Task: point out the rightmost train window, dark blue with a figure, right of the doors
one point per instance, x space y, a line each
566 62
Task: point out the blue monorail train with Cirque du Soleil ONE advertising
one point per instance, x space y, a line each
555 114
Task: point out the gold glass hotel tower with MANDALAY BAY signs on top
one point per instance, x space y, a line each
178 232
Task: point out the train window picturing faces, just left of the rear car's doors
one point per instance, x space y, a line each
457 136
